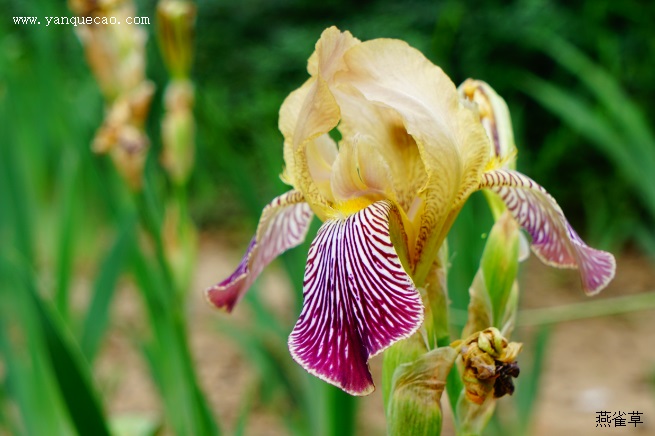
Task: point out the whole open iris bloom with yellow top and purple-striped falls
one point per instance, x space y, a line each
411 151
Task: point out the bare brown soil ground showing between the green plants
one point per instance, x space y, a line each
594 364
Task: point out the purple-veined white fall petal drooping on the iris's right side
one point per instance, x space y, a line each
553 239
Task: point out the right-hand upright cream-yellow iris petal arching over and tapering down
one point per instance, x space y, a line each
451 140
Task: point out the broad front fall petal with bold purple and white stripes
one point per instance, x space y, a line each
358 300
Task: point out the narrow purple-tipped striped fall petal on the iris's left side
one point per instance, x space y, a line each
283 225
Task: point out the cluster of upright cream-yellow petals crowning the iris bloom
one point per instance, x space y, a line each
408 137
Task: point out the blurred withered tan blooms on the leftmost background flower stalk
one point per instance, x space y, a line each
116 55
